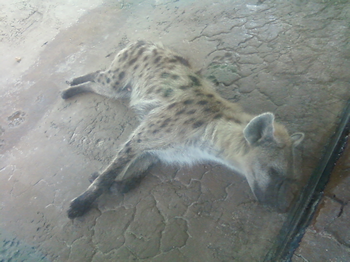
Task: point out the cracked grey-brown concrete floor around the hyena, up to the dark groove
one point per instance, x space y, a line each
287 57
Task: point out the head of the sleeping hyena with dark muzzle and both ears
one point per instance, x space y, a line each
269 163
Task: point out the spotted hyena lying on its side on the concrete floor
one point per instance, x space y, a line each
183 120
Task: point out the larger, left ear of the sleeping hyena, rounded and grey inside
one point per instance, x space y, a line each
259 128
